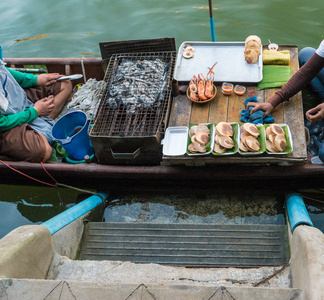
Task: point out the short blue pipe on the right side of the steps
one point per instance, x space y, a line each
297 211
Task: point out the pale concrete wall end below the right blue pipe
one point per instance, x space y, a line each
307 261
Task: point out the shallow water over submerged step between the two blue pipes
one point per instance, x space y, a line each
196 206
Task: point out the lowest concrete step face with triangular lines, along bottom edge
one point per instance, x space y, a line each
13 289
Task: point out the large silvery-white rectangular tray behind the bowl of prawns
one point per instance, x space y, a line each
231 65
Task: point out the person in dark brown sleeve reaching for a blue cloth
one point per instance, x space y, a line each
311 72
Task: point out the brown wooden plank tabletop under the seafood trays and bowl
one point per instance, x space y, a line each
228 108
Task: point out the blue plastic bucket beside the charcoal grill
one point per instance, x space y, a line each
72 132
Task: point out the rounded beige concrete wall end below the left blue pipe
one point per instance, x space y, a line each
26 252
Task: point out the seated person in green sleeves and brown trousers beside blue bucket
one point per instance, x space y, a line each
27 116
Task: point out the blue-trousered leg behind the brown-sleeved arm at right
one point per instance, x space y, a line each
317 84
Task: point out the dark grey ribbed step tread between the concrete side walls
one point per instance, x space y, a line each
192 245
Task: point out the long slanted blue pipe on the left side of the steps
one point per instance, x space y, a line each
58 222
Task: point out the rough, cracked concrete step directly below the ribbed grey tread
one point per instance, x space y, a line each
127 272
